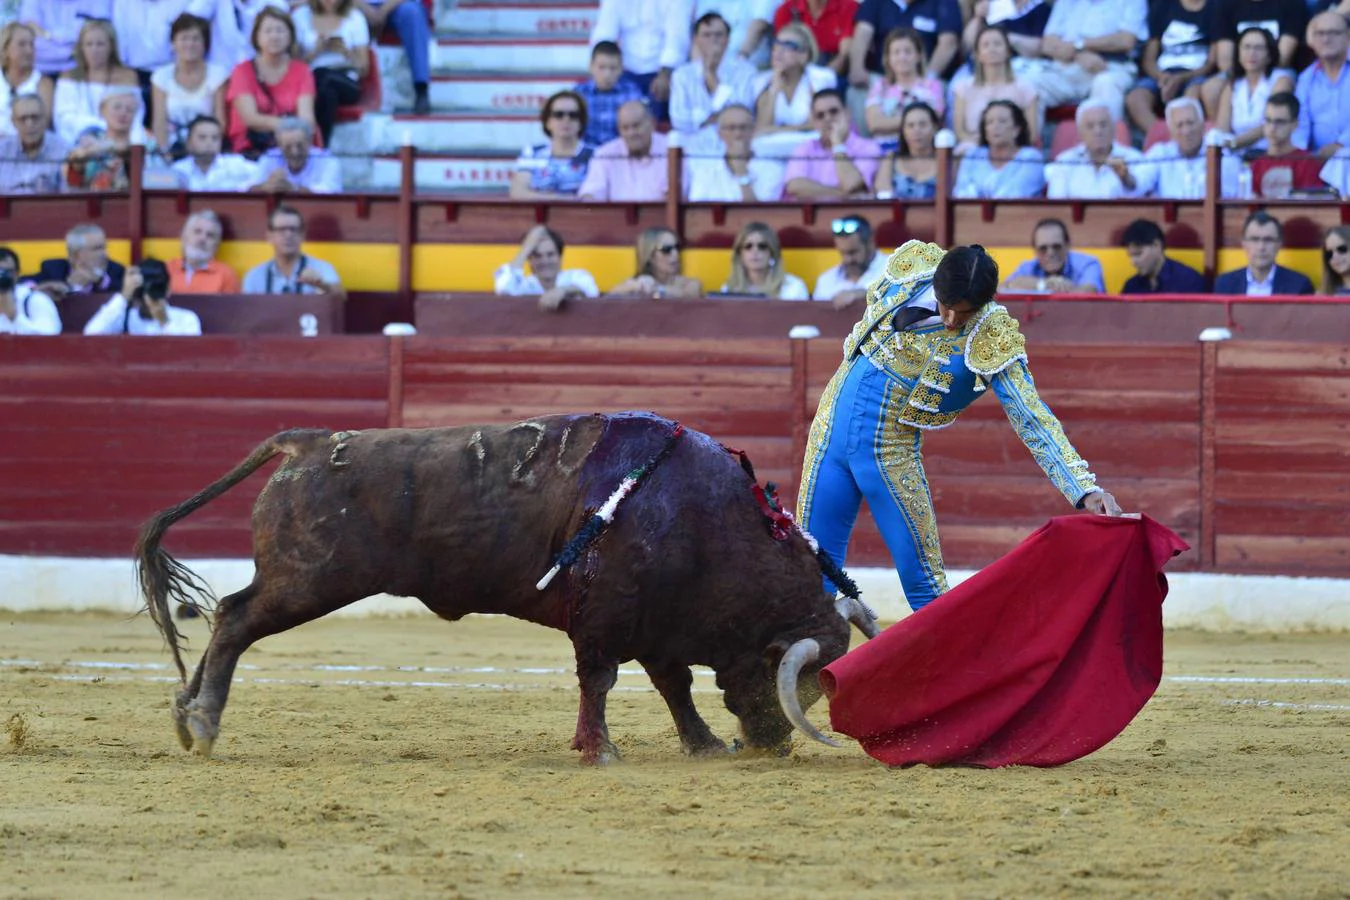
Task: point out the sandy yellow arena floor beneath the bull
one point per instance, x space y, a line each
415 759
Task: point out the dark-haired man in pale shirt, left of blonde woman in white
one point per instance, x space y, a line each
703 88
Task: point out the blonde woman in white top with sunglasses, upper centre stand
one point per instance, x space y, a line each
784 94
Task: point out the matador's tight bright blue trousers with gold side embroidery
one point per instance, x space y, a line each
859 450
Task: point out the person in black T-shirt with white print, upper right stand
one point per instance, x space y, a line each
1178 57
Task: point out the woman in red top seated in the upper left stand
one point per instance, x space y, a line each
269 87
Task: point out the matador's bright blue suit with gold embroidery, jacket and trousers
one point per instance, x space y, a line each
896 385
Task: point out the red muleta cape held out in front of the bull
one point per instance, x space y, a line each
1039 659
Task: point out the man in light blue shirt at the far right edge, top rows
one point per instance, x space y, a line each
1324 90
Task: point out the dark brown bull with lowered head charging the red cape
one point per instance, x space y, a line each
468 519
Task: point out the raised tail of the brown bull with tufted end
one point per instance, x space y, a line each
165 581
